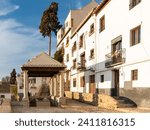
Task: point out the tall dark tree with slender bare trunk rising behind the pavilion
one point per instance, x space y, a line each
50 23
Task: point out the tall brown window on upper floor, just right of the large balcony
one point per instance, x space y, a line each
135 36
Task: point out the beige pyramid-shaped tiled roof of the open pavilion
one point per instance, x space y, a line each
43 60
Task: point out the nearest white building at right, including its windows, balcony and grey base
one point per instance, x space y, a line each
122 42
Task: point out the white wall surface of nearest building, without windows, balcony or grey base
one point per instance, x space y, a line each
119 20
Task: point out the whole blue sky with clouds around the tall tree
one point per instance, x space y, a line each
20 39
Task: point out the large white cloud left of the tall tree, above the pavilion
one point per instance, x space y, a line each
18 43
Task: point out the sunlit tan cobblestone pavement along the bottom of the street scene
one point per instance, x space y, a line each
76 107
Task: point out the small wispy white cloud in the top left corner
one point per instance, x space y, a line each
6 7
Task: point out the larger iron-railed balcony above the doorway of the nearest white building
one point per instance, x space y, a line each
115 58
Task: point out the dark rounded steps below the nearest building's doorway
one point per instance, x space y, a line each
124 102
